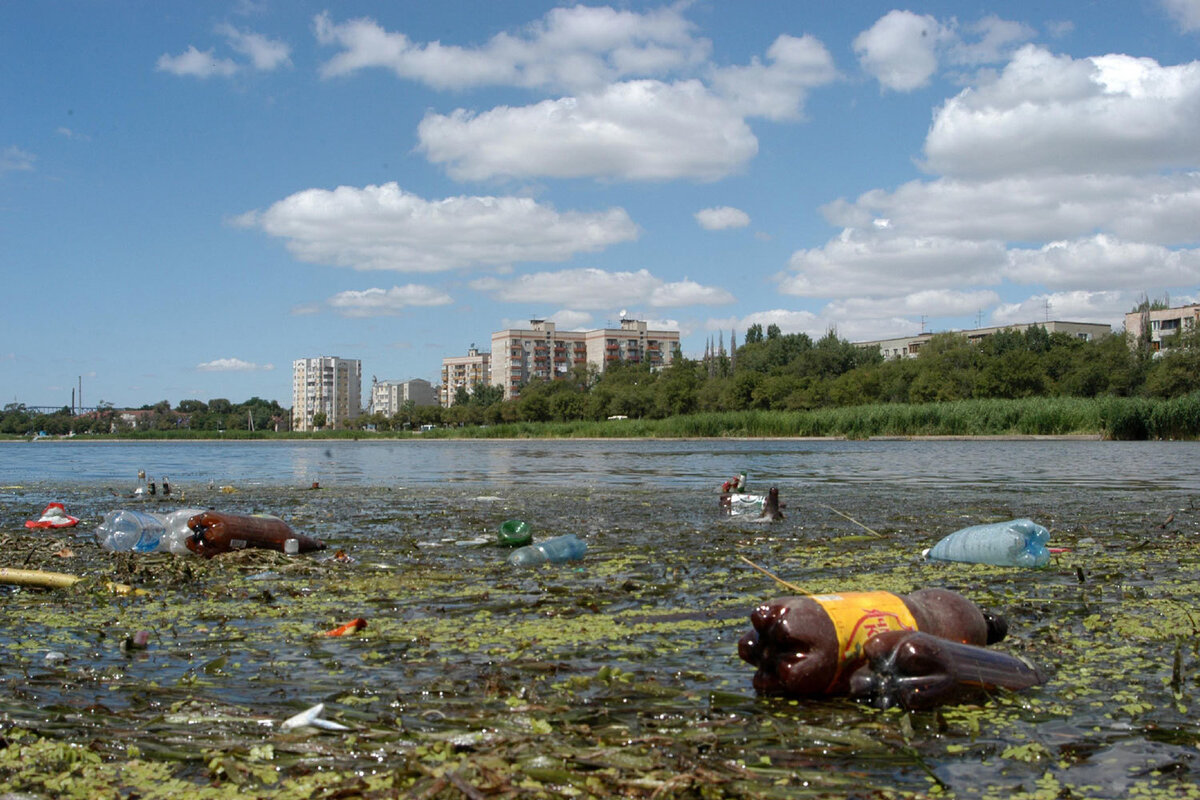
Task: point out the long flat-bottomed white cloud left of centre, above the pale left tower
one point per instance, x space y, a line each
386 228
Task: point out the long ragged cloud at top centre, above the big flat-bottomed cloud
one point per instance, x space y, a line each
574 49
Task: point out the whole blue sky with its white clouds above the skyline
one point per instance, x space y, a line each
195 195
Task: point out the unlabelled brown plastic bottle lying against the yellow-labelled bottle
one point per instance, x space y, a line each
919 671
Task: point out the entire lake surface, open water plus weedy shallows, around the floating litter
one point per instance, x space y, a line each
623 667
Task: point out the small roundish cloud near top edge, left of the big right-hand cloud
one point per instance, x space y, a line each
901 50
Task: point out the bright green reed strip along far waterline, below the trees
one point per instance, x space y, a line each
1111 418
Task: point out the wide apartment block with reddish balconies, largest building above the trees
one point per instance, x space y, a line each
544 353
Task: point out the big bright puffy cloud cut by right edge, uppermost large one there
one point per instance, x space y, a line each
1049 115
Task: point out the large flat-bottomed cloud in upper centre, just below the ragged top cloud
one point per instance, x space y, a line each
643 130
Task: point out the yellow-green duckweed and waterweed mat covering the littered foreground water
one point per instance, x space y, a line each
616 676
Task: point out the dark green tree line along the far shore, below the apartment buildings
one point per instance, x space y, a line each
769 371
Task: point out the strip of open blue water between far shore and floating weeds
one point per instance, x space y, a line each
651 464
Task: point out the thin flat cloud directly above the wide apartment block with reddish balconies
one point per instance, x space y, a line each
598 290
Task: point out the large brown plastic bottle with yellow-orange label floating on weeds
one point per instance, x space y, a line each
809 646
